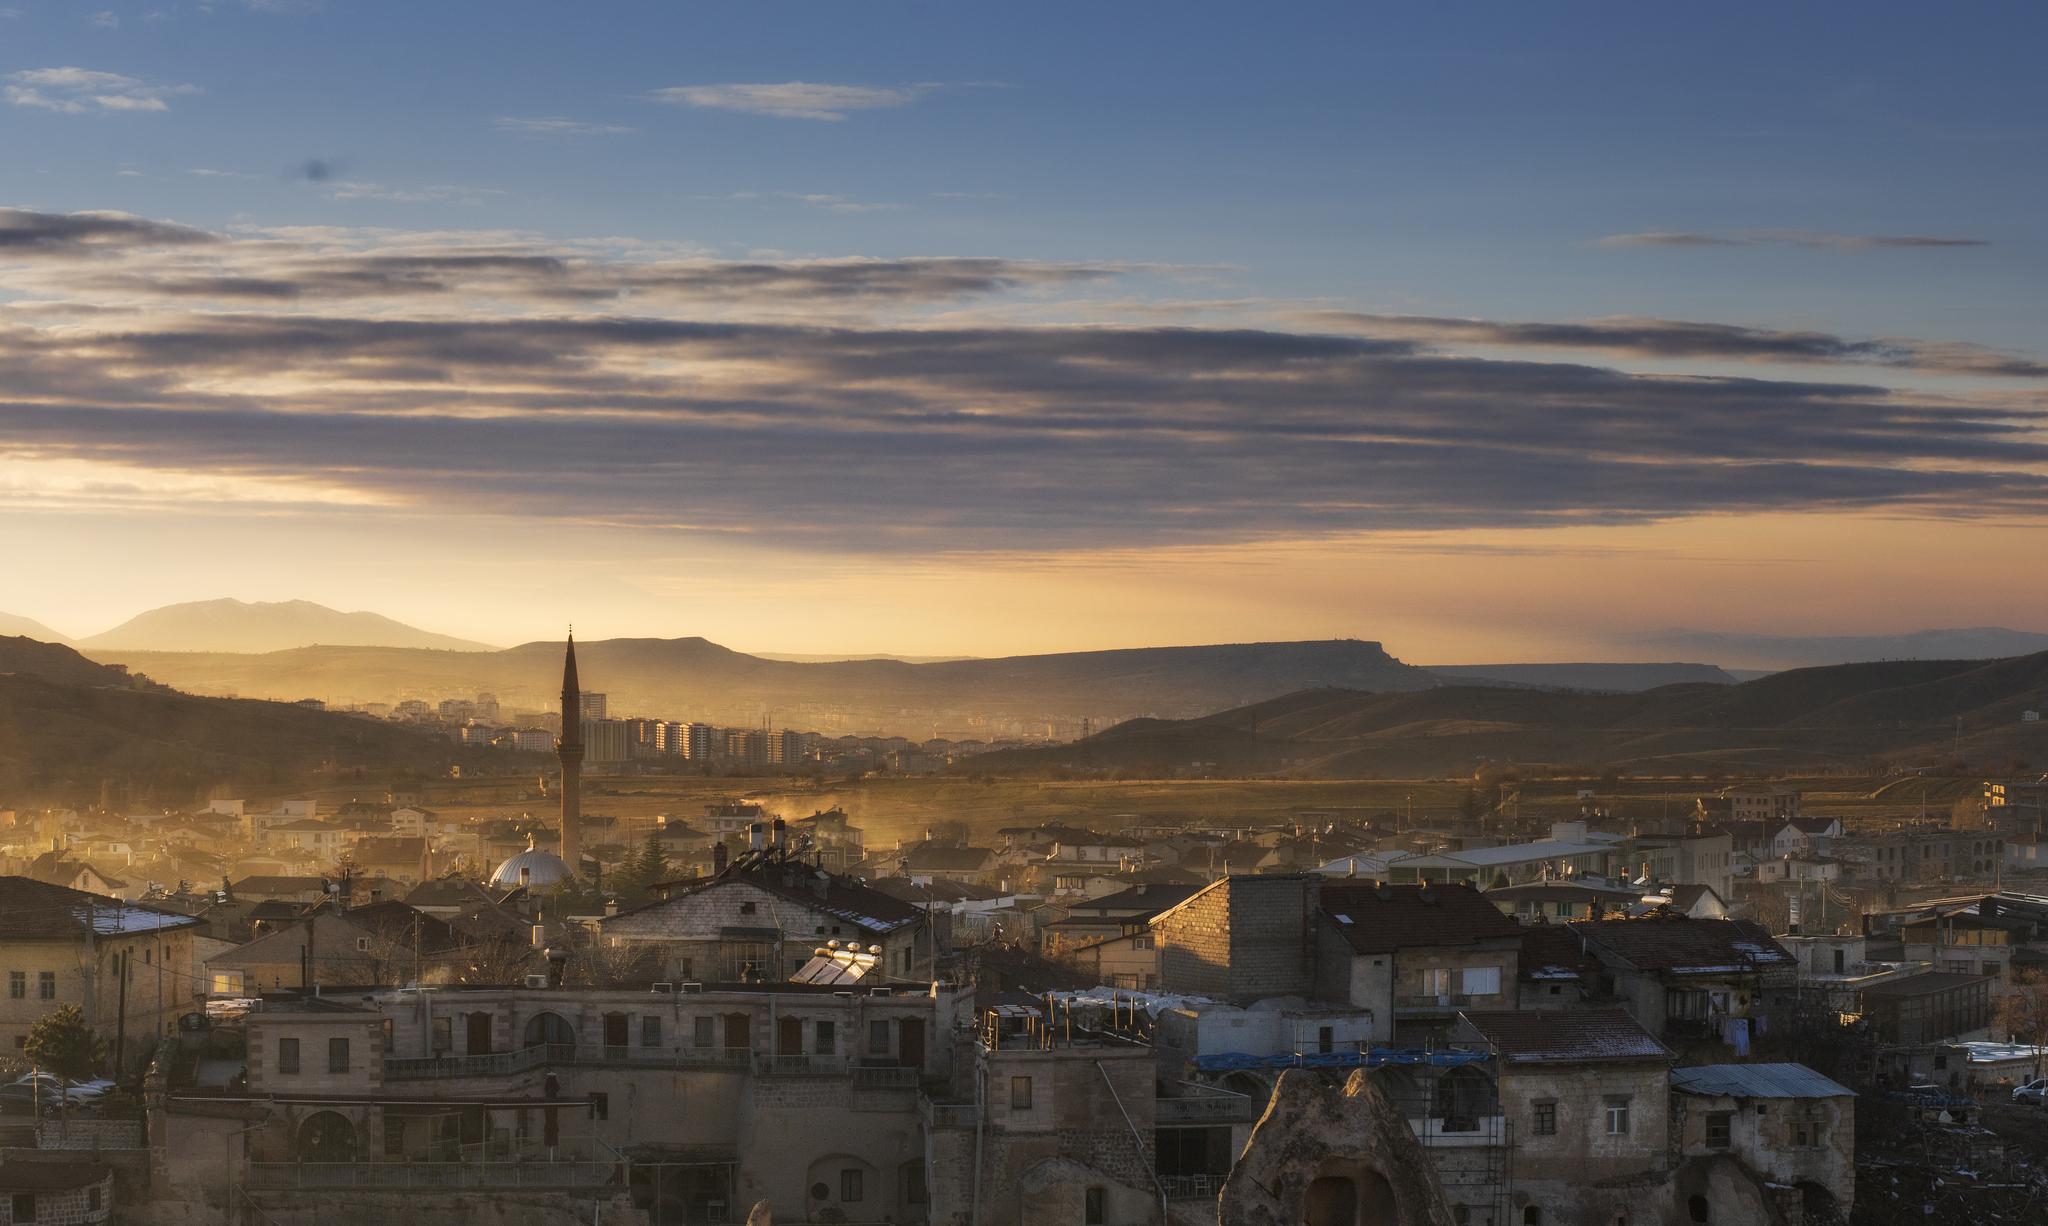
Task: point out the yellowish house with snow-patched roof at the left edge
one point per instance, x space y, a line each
128 967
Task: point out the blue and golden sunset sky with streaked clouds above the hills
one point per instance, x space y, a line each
1494 333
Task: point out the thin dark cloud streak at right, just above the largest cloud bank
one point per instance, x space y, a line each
1678 339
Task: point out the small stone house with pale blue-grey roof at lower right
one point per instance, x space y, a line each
1785 1123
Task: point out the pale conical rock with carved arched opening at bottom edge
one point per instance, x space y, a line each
1334 1157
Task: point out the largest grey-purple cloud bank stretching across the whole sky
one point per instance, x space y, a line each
605 392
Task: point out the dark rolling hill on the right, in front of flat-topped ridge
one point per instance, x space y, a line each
1859 713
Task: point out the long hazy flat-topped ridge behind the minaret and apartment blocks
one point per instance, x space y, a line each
677 676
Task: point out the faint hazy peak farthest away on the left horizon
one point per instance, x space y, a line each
230 625
